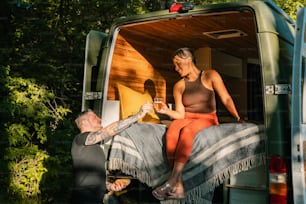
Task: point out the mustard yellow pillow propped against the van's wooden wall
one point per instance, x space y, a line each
131 102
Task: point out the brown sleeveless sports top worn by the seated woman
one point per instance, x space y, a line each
197 98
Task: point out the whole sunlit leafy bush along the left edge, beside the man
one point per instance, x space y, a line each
32 163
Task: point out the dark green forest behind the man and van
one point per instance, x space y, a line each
42 52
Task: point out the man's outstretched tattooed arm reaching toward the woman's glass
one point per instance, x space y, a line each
116 127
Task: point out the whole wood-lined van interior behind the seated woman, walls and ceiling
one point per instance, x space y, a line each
225 41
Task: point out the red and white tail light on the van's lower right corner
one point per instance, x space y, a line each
278 180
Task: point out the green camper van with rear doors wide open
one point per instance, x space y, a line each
260 53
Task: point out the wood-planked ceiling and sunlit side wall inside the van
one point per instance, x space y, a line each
143 51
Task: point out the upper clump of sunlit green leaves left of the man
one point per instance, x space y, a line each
33 109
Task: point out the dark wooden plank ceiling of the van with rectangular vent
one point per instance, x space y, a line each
167 35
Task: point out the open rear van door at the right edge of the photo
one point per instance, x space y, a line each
298 131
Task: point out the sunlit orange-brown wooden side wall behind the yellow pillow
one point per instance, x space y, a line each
131 69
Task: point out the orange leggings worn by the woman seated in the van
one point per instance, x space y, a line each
181 132
